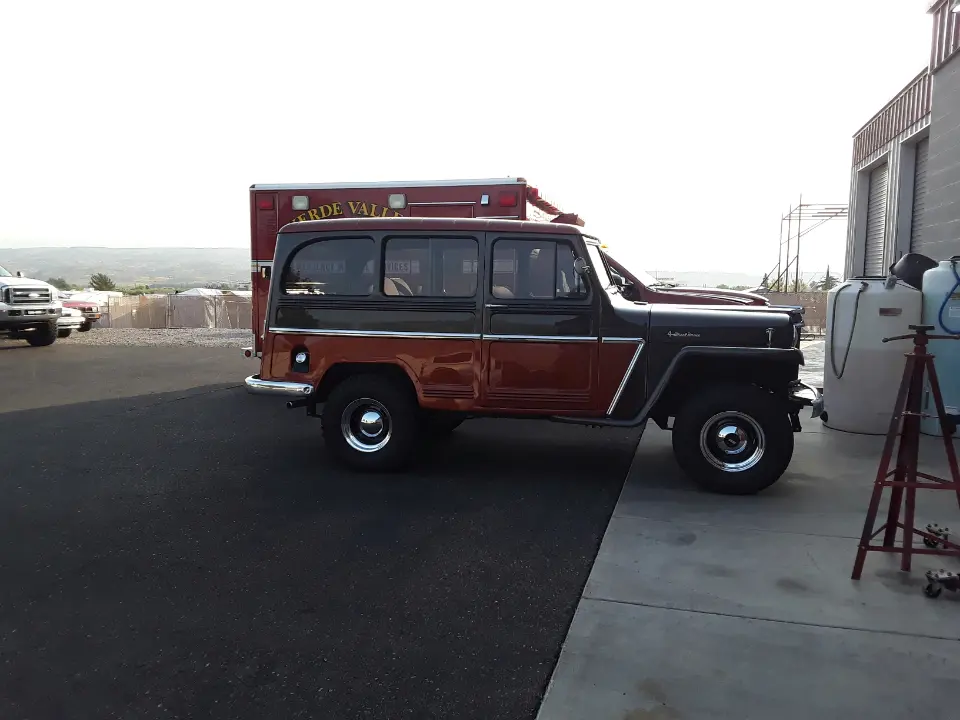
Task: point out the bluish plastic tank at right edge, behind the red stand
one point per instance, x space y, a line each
941 308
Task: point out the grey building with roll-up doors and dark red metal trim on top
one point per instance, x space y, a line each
905 185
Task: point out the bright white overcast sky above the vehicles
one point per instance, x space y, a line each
703 120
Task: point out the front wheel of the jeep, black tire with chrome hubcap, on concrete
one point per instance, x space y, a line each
732 465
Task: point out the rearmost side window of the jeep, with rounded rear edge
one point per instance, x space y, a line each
341 266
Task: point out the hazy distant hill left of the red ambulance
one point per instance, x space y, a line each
127 266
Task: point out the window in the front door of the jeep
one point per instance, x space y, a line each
535 270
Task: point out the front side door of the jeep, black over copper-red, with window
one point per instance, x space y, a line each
540 326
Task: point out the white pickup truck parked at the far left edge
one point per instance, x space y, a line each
29 309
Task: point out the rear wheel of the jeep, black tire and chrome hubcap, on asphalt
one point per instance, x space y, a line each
393 401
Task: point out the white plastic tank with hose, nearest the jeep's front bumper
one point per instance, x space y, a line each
862 374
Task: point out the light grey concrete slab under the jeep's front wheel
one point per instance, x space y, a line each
738 608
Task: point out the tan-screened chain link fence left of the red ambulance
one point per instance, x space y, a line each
161 312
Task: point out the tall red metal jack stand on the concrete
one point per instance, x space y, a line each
907 414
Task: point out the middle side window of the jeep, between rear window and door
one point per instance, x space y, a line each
430 267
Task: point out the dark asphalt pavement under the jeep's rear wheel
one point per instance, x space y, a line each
171 546
